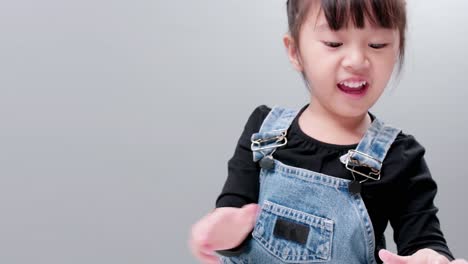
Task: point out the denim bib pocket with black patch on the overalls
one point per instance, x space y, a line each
293 236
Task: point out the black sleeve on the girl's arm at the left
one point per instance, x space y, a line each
242 183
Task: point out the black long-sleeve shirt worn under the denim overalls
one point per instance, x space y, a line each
404 195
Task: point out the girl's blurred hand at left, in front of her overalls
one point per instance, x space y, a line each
224 228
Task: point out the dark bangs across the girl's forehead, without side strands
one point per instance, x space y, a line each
380 13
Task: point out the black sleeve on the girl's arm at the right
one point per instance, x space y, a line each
413 216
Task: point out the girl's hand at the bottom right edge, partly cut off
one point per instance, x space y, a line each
423 256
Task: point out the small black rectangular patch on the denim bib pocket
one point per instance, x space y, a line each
292 231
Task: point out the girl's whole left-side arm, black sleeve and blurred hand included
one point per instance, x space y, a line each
227 229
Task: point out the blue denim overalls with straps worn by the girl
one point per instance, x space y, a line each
310 217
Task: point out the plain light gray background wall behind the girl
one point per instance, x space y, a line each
117 118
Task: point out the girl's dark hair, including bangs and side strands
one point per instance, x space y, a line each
383 13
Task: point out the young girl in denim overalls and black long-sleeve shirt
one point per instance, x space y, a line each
321 183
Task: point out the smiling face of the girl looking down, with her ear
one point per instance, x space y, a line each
360 57
